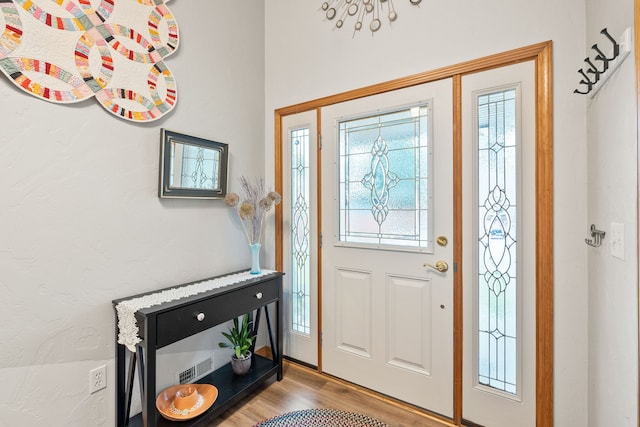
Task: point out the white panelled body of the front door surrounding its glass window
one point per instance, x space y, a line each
388 318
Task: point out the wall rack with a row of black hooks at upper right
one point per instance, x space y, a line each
598 70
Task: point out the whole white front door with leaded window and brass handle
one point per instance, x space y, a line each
387 199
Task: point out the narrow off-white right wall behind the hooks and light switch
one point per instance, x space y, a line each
612 166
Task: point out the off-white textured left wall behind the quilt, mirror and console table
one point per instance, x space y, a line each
81 223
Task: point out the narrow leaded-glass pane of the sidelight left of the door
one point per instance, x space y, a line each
300 230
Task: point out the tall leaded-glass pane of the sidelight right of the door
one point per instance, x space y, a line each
497 249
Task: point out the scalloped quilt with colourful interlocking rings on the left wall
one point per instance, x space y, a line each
66 51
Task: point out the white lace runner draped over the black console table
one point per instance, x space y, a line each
127 325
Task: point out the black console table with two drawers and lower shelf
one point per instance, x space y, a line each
169 322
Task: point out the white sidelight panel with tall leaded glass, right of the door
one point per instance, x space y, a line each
499 274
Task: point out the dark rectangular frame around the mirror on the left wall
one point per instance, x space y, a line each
165 189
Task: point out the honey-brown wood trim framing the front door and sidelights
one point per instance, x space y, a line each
541 54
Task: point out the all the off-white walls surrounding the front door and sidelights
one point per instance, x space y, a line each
82 225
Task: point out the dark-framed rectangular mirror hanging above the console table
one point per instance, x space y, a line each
192 167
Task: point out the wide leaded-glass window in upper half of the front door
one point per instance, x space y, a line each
384 179
